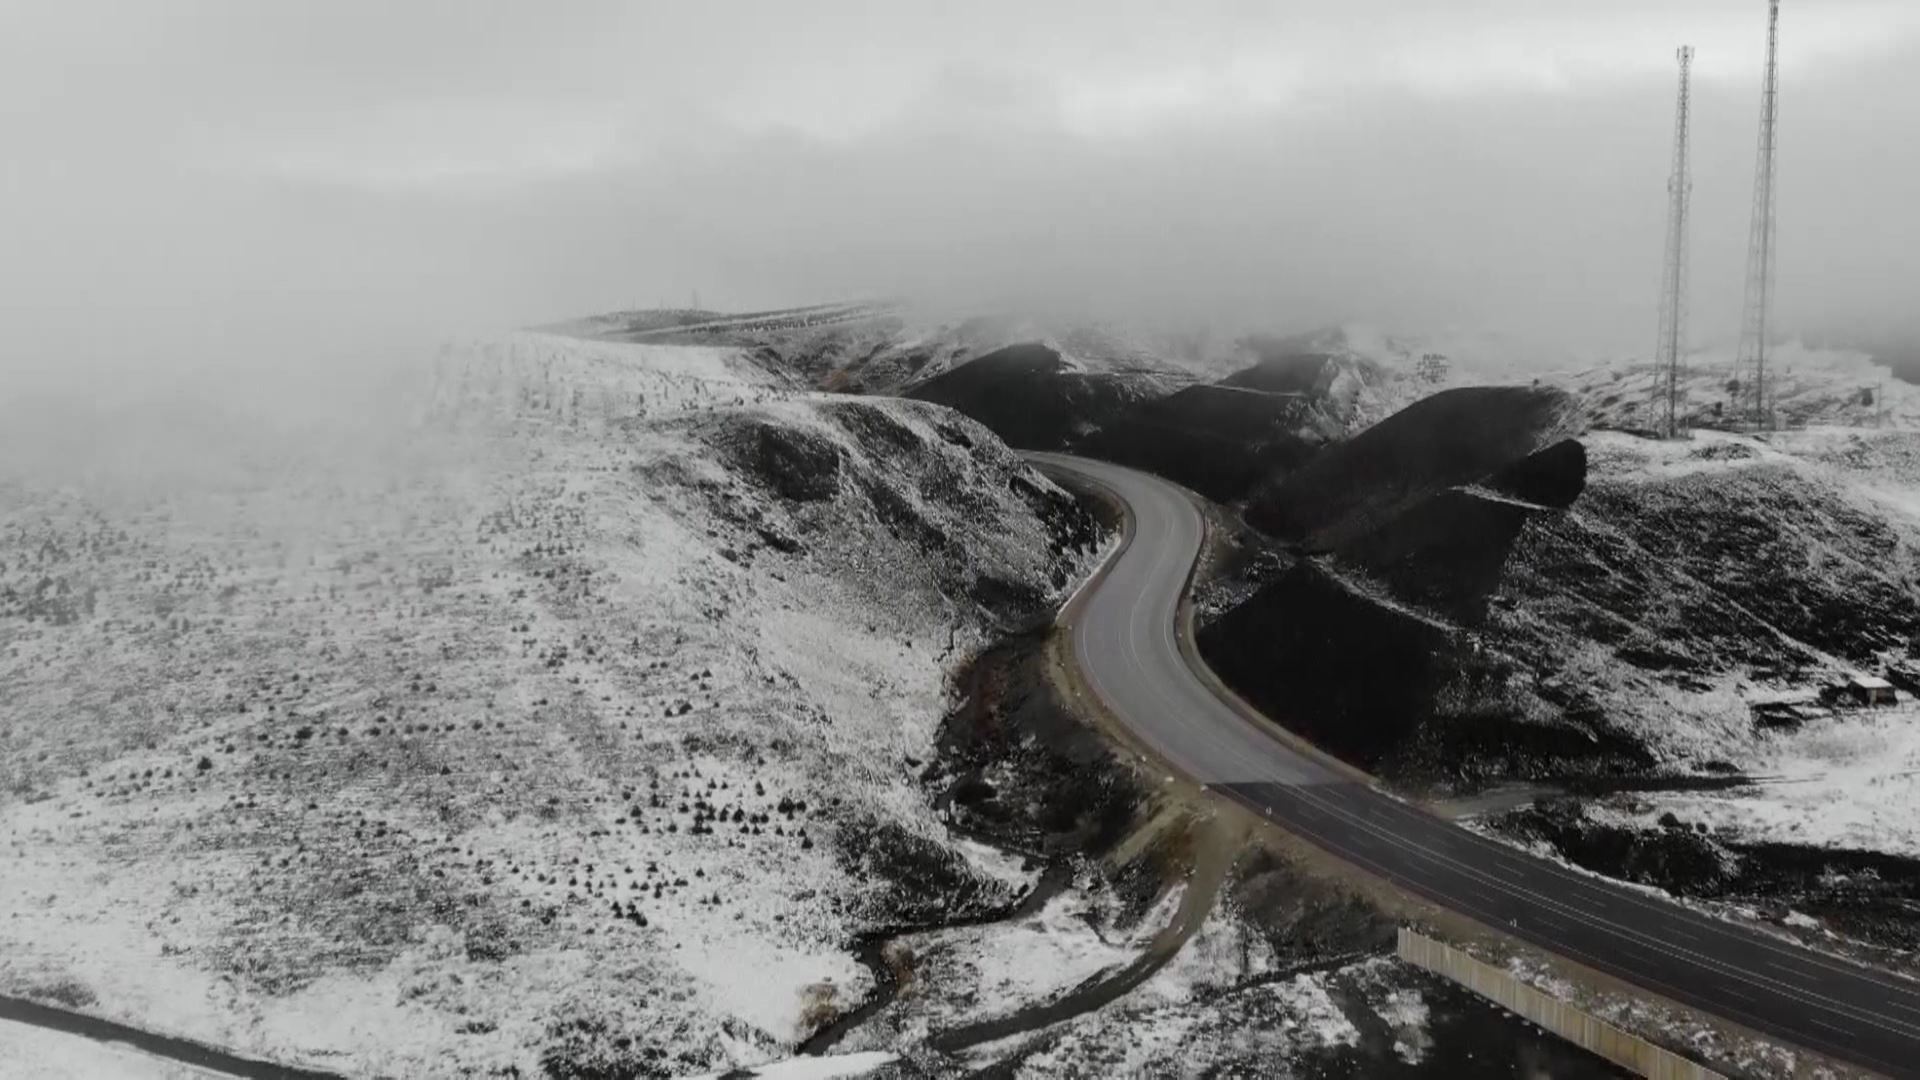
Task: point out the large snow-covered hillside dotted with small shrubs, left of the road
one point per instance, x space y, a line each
542 727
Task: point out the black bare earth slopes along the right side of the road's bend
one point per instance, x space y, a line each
1395 675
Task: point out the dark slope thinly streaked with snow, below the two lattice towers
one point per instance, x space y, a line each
1694 574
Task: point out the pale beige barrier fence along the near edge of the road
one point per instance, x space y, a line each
1560 1018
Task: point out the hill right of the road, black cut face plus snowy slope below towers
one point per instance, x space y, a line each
1685 585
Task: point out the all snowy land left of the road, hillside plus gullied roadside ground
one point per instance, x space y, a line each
592 729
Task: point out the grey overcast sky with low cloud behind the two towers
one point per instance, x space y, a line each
216 180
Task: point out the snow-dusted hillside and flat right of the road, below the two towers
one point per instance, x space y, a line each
1706 604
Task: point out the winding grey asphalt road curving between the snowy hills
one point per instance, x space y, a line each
1124 639
